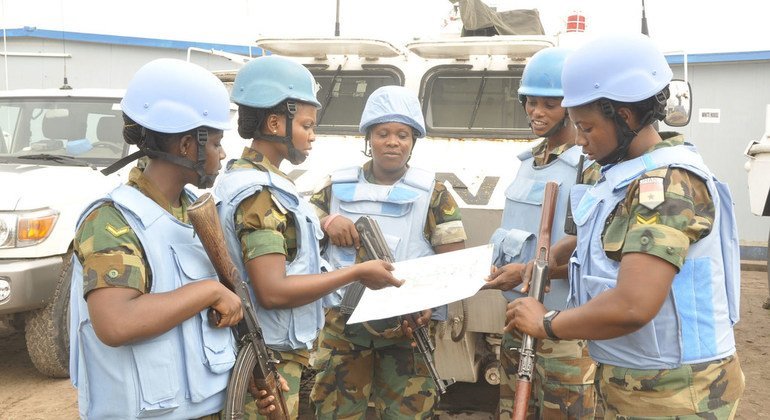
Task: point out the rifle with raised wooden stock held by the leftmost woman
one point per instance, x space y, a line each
203 215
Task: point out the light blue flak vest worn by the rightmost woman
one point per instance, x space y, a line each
696 321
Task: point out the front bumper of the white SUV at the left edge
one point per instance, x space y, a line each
32 283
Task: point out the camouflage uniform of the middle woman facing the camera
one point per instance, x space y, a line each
374 359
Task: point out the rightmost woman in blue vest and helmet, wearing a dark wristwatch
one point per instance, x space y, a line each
655 276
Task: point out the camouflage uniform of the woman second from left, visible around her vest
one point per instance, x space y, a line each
265 228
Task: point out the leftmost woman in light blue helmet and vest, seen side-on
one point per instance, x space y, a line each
139 340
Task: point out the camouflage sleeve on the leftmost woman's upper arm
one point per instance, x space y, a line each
110 252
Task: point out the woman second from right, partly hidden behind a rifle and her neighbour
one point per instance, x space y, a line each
564 376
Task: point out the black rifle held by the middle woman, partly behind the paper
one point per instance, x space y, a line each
377 249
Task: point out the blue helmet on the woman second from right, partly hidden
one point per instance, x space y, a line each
542 75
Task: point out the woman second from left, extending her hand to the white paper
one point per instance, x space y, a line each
272 232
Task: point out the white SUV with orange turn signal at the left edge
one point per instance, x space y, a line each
53 144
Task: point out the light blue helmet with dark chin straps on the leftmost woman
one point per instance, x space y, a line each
172 96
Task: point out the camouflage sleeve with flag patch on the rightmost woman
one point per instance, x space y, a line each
673 211
